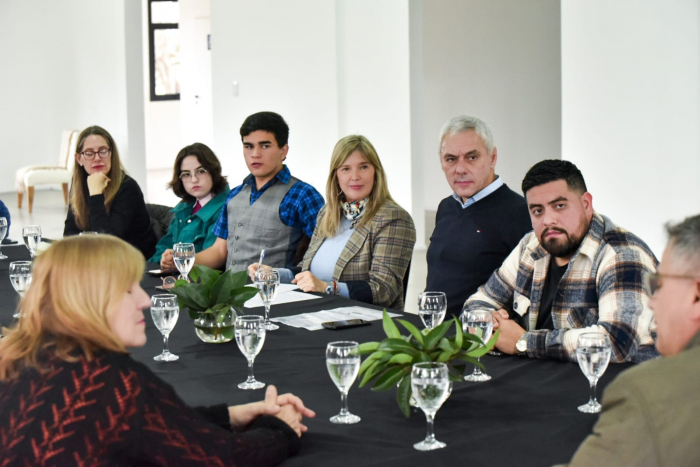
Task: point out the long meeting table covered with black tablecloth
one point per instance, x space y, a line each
526 415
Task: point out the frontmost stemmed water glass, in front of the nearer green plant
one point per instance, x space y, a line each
430 384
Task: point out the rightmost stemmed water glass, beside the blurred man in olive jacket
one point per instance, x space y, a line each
593 355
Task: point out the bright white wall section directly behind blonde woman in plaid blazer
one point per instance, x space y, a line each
374 86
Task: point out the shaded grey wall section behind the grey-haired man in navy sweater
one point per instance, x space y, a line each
499 60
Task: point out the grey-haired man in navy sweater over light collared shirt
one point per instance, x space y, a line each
480 223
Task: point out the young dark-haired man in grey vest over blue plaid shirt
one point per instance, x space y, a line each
270 210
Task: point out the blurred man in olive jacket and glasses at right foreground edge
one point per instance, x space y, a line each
650 412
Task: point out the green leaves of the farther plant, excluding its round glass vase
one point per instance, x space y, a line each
212 292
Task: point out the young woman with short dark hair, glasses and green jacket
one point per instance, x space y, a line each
197 180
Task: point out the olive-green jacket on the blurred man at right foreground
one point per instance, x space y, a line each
650 415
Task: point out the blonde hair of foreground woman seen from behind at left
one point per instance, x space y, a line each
76 285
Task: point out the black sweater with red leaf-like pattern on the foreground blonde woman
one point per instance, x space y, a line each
114 411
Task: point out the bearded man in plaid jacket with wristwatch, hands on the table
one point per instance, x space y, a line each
576 272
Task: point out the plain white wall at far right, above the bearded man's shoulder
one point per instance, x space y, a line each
631 108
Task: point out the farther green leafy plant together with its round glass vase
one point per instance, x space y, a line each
210 300
